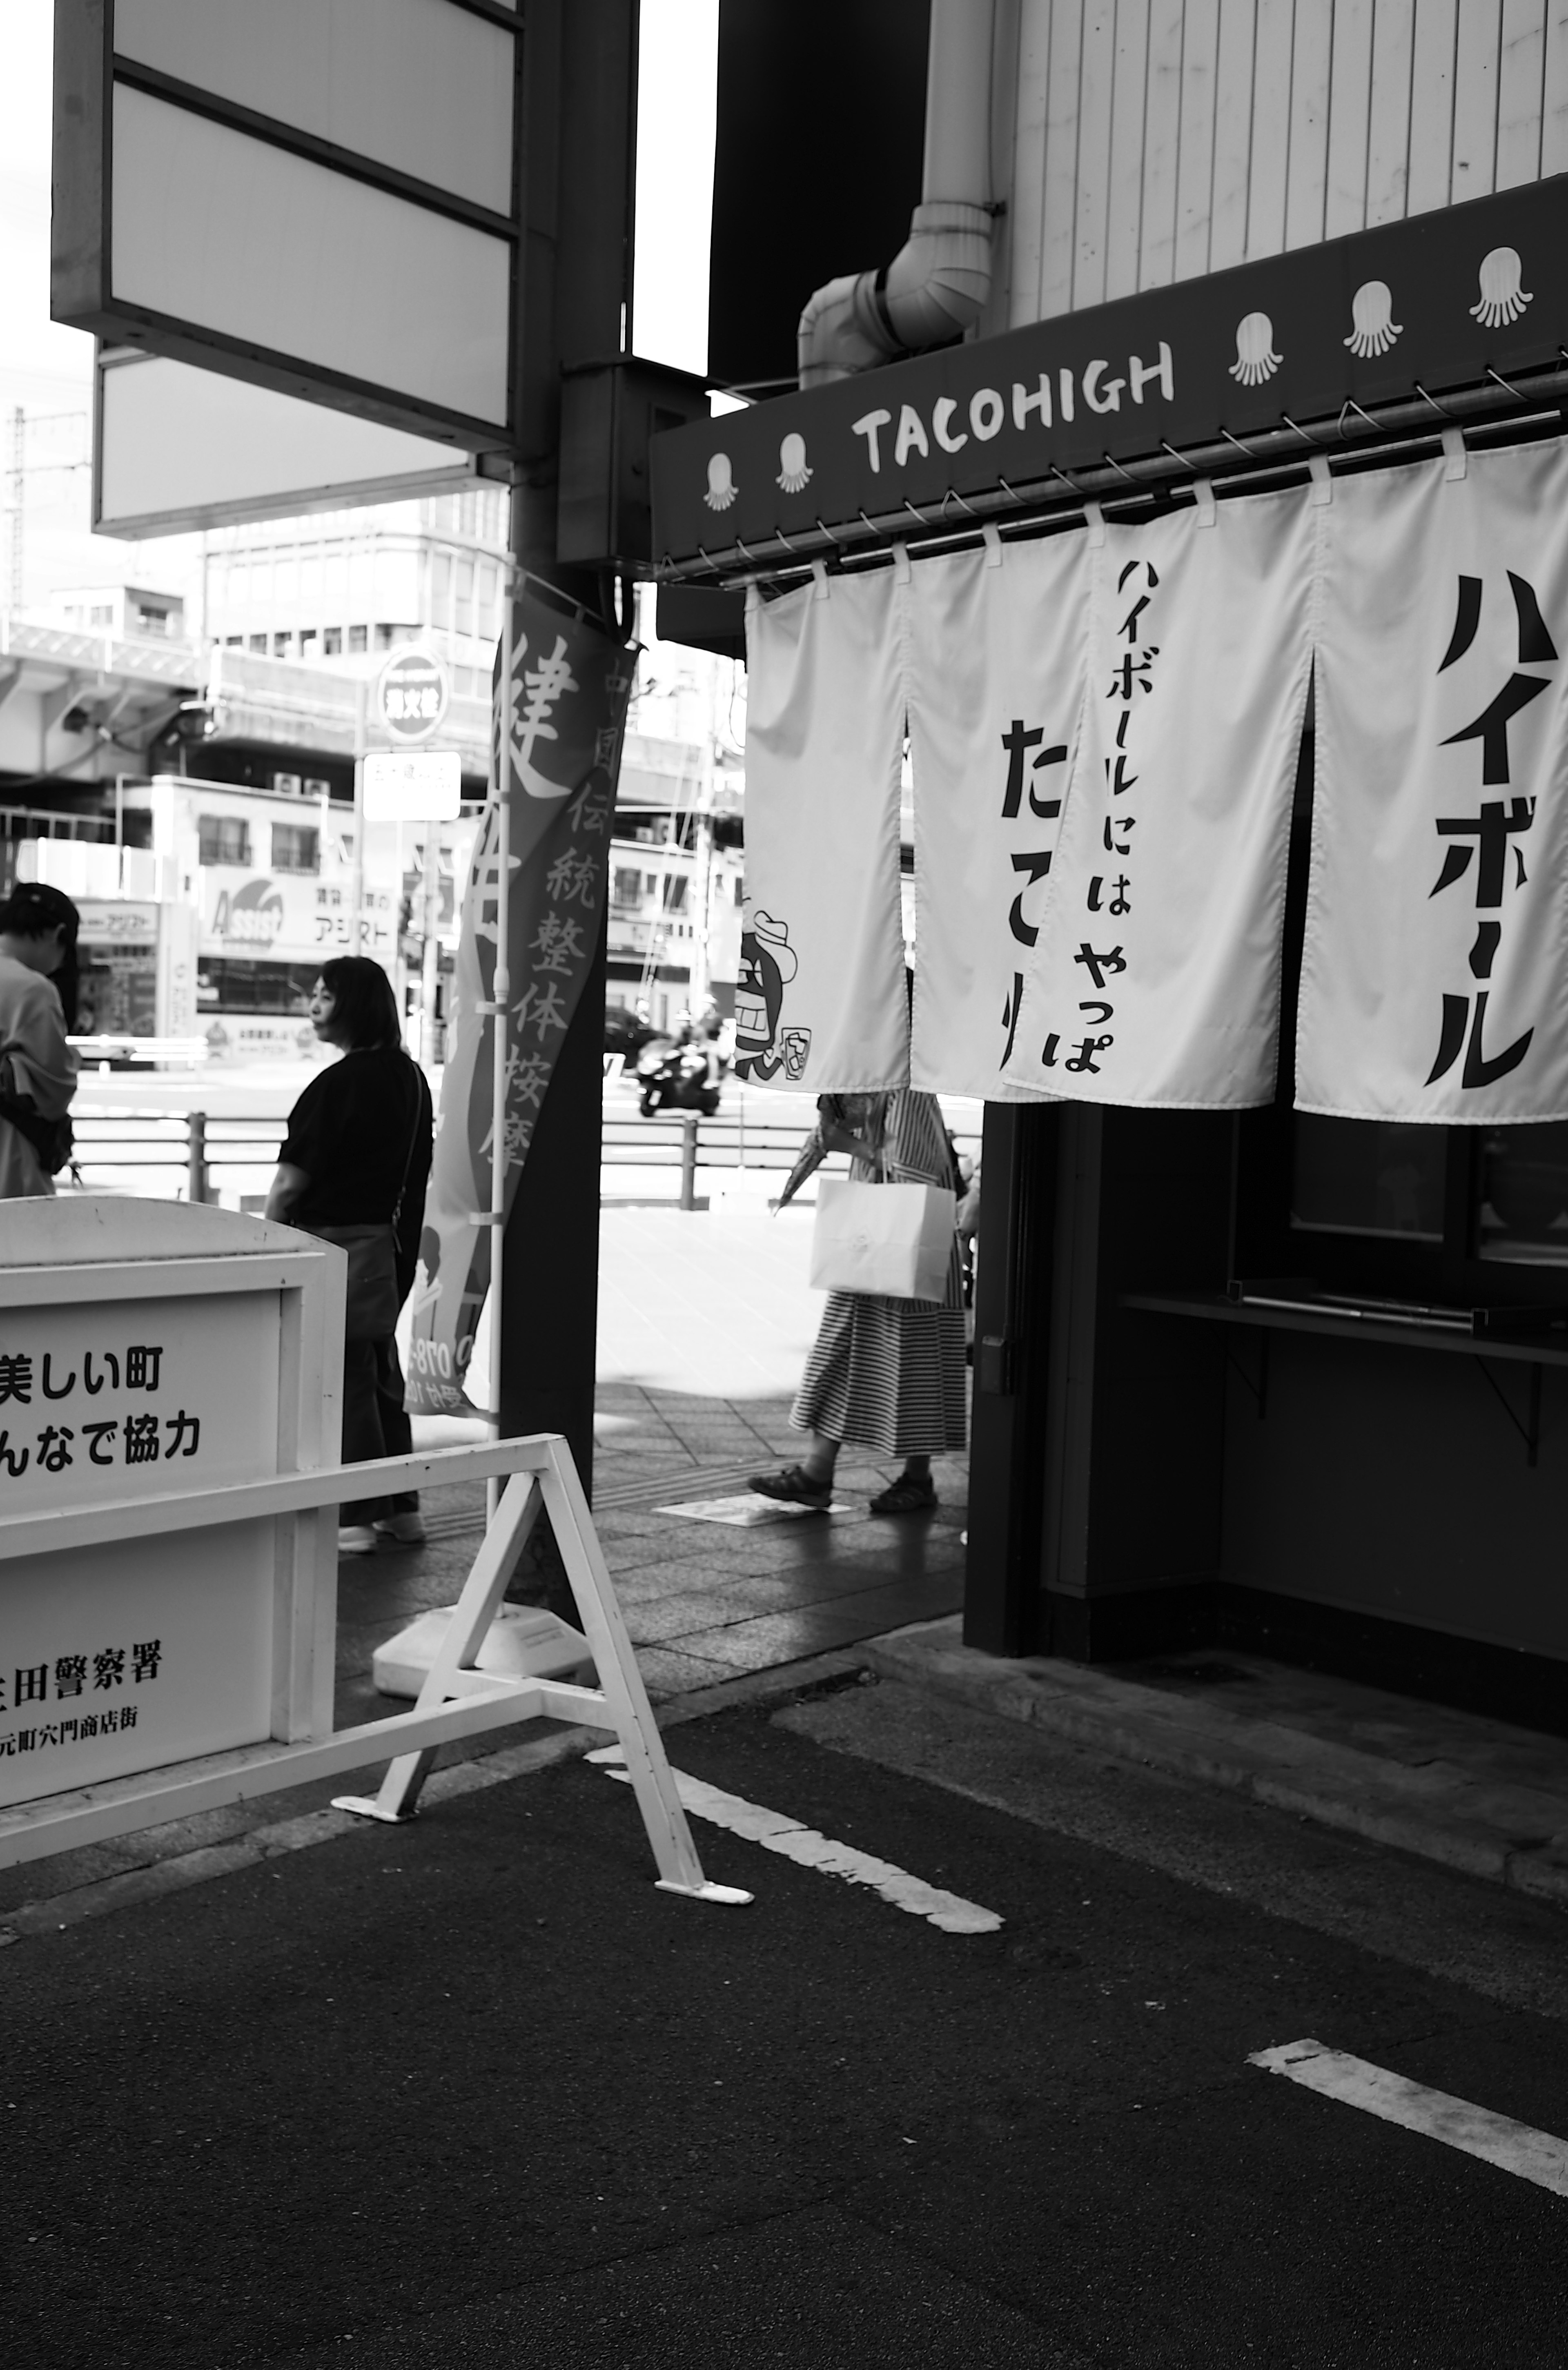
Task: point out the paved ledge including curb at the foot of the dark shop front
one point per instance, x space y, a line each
1451 1786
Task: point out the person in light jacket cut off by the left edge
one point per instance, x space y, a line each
37 1065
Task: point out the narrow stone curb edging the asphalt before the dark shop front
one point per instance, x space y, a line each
1505 1833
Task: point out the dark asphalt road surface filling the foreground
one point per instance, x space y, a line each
477 2094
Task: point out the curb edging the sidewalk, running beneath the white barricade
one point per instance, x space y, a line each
179 1871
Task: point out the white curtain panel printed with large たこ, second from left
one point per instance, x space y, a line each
996 698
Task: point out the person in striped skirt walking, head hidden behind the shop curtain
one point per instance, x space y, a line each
885 1376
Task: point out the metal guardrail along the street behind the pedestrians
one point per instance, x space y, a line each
193 1151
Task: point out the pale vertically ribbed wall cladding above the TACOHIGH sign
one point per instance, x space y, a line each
1167 139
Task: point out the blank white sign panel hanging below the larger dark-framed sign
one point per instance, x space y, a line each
181 449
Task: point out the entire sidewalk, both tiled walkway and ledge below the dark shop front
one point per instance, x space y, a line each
690 1402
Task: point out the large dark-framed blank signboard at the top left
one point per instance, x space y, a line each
321 198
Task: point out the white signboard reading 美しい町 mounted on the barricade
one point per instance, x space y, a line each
122 1385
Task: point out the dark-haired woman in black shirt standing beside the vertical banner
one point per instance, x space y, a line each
359 1153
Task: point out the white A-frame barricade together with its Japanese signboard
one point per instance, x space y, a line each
169 1487
